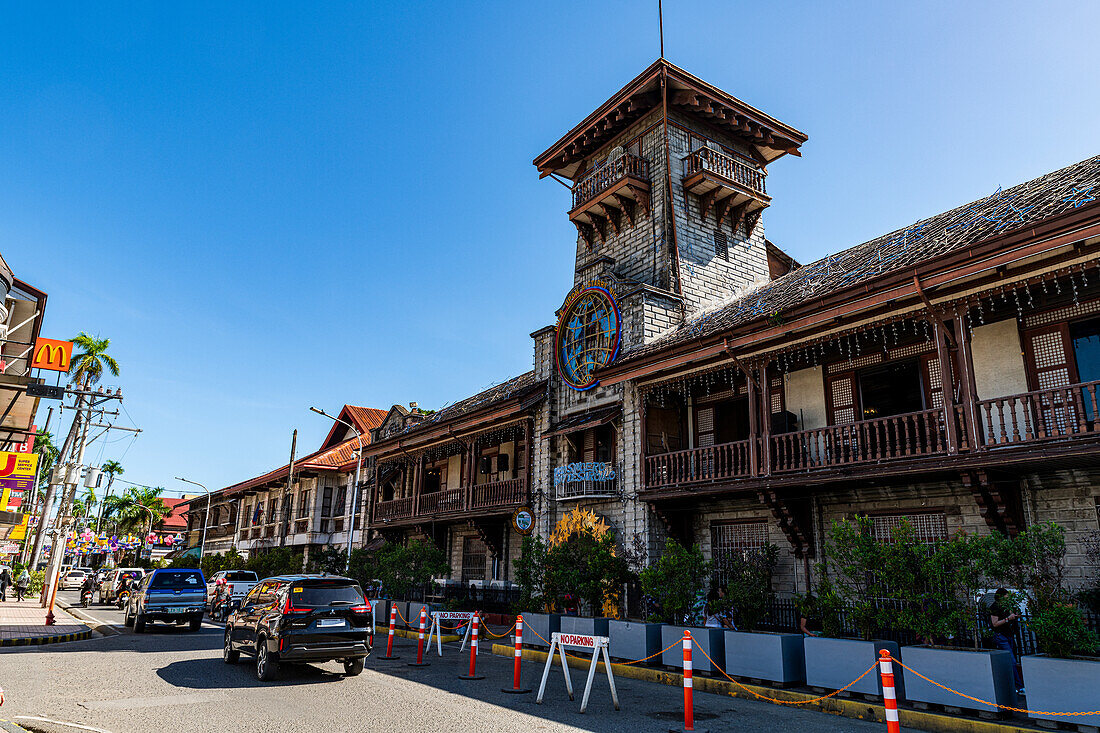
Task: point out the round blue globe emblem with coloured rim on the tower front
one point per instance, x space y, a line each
588 336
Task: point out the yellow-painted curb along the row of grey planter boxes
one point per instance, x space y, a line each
844 708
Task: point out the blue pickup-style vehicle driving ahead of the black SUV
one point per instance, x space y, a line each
173 595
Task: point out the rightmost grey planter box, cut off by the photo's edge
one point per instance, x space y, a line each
1063 686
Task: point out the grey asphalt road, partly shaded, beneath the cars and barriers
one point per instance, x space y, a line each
172 680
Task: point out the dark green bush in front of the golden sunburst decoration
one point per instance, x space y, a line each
586 567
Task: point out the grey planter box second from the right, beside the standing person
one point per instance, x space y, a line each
980 673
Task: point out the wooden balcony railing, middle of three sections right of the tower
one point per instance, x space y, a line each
884 439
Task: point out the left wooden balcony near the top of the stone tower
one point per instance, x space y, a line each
611 198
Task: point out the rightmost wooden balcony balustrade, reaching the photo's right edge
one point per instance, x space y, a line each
1041 415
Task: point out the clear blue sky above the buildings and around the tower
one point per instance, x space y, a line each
270 206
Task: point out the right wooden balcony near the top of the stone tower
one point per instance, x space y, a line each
731 187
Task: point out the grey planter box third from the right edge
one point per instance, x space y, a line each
833 663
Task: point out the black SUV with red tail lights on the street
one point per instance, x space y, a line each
302 619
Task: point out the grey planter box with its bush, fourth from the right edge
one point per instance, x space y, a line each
777 658
